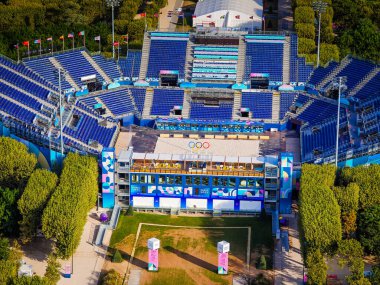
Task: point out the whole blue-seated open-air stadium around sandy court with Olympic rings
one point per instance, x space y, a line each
198 89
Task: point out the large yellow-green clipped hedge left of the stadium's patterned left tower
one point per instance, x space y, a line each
65 215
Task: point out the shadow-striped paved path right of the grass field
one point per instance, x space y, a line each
289 265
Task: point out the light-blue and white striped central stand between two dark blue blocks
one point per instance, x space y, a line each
214 63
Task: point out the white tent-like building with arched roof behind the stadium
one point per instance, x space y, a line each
242 14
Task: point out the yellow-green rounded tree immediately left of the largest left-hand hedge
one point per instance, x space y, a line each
38 190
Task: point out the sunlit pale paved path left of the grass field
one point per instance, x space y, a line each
88 259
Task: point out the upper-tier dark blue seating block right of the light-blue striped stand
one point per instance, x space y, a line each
264 54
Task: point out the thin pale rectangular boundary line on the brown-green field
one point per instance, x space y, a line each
189 227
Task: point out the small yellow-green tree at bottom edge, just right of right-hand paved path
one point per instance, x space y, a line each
316 268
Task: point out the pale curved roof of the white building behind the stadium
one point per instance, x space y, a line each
209 6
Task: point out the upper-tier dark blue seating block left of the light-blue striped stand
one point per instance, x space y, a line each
167 52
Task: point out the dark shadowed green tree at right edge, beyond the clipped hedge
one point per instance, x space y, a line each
369 229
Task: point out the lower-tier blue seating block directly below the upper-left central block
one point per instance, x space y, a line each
164 100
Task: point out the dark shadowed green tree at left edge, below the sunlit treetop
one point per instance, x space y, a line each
9 214
